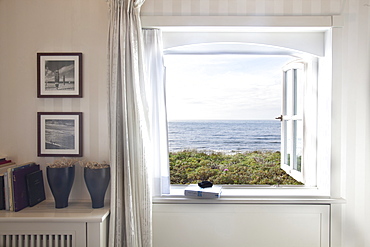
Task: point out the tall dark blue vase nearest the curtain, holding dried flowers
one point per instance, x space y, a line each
97 181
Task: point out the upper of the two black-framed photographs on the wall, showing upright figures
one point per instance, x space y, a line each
59 75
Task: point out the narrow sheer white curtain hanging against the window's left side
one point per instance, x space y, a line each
156 84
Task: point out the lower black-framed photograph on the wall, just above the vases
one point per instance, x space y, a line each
59 134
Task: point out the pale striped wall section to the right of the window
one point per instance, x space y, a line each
355 125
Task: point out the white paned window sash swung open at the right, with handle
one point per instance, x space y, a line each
307 114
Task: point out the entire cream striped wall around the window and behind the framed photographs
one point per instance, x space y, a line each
28 27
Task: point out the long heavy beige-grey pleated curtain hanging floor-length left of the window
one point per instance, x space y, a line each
130 146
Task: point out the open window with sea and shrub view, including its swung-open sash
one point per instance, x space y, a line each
189 96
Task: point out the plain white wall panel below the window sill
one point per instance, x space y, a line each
196 225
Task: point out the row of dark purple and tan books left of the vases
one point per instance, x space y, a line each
21 185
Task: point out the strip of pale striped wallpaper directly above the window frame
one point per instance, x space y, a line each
241 7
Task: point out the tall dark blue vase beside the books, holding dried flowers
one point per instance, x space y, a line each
60 182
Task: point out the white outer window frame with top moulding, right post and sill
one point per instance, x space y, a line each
322 143
